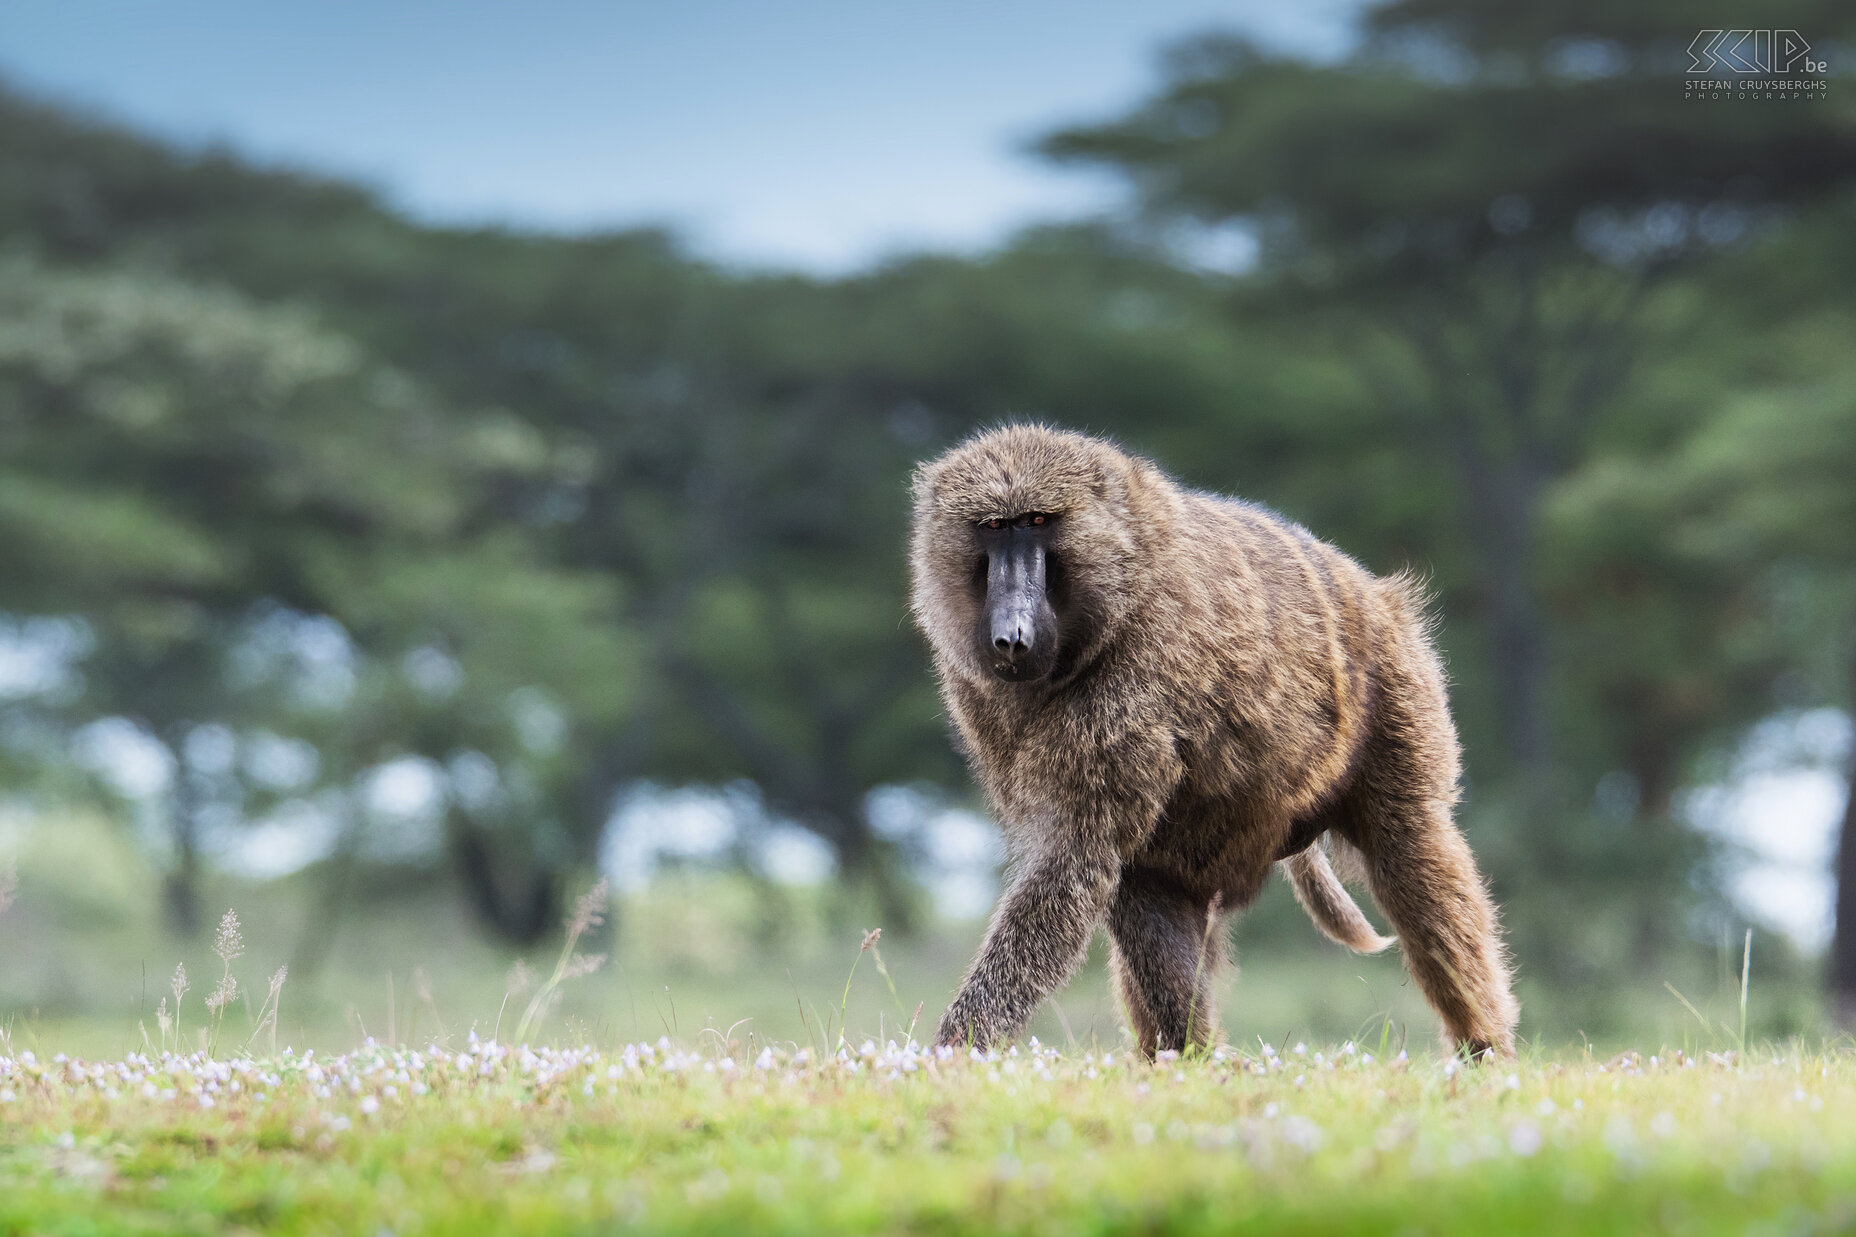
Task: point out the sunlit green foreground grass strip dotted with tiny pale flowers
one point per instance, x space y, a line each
719 1138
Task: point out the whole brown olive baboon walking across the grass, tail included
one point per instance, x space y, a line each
1165 694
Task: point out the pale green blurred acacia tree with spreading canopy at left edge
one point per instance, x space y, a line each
179 456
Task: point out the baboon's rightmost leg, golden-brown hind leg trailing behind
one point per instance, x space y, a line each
1424 879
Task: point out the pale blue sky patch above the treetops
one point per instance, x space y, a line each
819 135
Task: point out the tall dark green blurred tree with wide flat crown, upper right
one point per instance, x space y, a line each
1482 207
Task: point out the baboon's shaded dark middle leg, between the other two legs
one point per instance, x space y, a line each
1165 954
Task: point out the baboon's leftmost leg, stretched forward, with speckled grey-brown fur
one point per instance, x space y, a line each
1038 937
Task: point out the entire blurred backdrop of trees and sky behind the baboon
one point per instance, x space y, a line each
450 456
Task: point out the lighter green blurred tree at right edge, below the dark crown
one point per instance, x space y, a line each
1757 510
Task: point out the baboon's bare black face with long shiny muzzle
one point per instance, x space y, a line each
1020 629
